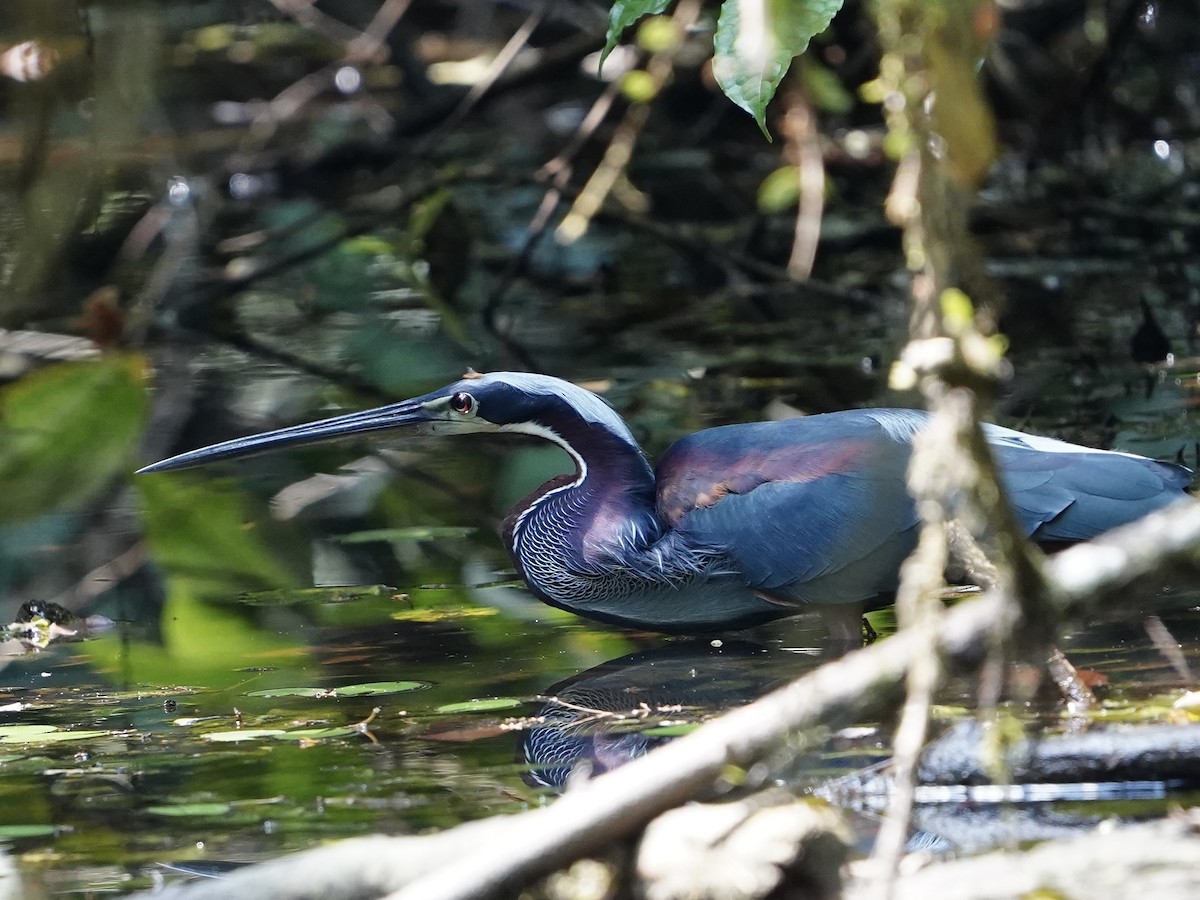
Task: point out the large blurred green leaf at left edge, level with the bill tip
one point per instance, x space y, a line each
67 431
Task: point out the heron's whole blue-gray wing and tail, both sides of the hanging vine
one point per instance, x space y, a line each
818 511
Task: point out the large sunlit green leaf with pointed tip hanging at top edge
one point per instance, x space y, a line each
751 59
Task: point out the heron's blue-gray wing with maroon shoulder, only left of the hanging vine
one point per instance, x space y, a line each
811 511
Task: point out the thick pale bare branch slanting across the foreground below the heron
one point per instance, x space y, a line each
499 856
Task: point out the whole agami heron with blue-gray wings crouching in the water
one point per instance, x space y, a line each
741 524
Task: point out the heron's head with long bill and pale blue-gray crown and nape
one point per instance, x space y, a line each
499 403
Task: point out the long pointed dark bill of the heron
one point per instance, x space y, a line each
410 412
